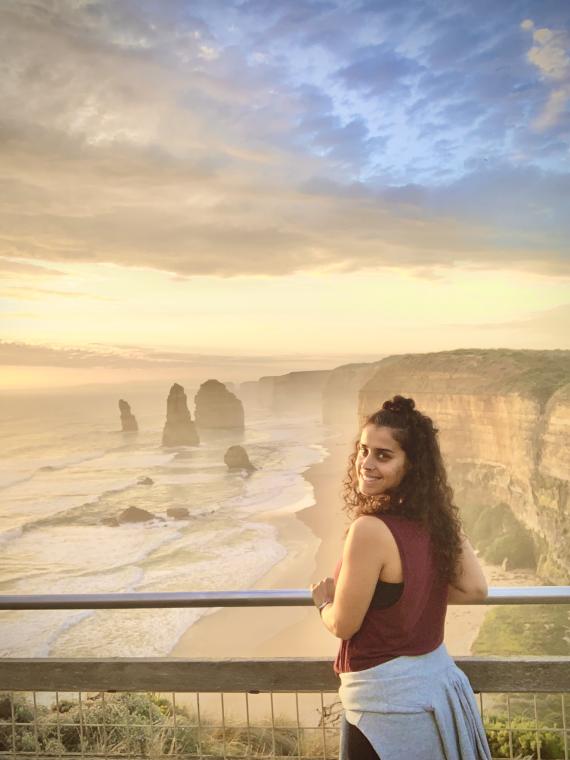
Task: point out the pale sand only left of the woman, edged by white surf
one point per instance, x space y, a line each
309 536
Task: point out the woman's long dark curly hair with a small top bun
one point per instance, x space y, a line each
424 493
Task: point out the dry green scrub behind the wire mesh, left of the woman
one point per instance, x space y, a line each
133 724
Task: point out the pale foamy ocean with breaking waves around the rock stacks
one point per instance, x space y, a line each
66 466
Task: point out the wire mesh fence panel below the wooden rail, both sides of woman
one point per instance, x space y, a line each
208 725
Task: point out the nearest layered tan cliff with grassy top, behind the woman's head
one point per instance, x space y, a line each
504 421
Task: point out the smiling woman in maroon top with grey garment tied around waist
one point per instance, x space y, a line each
405 557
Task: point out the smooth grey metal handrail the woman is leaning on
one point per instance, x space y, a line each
279 598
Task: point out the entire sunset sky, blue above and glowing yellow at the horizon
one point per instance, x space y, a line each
191 186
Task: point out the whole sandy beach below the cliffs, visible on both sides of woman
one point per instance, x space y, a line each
313 538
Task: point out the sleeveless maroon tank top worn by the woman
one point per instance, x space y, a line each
415 623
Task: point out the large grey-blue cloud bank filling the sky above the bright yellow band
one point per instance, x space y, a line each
275 138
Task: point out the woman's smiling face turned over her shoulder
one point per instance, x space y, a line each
381 462
